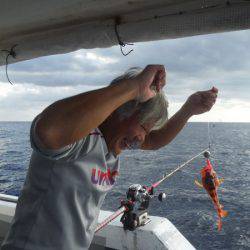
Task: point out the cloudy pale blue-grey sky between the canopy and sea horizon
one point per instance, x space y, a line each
192 64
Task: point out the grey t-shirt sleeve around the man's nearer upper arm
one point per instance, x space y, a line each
66 152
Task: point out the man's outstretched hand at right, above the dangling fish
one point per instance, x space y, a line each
200 102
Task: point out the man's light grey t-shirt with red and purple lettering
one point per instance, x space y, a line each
64 189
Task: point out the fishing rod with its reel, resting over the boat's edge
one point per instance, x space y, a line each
134 208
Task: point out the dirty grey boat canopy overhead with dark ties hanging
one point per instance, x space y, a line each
48 27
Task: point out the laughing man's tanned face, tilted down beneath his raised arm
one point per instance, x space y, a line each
129 134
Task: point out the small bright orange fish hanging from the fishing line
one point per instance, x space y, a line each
210 182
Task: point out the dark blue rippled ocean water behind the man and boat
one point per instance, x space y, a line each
188 207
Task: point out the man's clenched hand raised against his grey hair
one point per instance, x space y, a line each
151 80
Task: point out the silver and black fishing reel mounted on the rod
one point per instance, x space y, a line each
137 203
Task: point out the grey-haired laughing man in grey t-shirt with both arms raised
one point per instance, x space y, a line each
76 142
